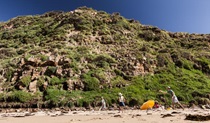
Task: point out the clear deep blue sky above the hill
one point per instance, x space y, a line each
191 16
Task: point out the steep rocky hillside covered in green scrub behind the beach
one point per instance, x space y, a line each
73 58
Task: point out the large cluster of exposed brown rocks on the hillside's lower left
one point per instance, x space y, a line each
35 68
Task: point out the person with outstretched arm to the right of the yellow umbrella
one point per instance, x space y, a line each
173 97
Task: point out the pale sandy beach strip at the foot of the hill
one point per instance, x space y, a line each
128 116
